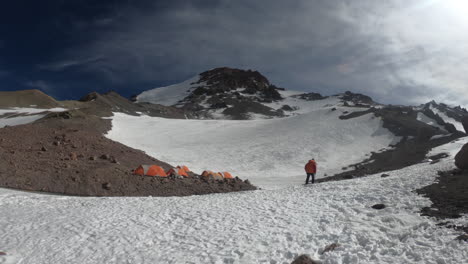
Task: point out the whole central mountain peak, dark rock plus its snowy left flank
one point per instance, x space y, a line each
235 93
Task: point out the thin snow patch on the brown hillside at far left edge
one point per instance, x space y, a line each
20 116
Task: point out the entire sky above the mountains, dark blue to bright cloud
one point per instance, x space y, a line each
397 51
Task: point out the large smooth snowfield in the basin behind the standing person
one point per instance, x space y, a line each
271 153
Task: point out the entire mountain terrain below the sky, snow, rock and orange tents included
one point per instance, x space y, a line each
211 170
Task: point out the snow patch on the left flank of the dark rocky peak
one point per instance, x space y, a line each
169 95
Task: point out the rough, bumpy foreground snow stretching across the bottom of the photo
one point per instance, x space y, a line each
265 226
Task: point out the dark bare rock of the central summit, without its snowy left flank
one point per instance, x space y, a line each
236 93
